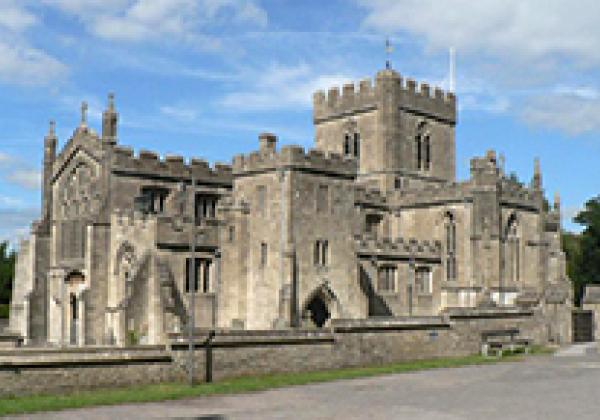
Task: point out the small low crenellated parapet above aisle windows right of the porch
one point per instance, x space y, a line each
400 248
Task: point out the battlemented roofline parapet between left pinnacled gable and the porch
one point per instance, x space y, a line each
172 166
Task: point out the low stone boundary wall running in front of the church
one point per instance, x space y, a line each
348 343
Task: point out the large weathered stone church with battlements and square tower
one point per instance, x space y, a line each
371 223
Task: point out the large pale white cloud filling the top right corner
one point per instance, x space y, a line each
527 30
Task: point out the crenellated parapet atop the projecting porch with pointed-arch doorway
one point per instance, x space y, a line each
294 157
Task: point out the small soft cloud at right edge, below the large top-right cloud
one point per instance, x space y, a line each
569 113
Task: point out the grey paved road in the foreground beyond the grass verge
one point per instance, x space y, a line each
548 387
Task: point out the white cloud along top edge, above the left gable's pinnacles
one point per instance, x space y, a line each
142 20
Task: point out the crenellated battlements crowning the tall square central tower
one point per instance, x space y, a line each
418 99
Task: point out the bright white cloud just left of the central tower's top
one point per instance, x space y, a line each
280 86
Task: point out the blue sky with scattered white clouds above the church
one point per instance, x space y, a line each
204 77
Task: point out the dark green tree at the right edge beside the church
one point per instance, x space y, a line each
586 251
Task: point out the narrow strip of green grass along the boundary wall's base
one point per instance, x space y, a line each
173 391
